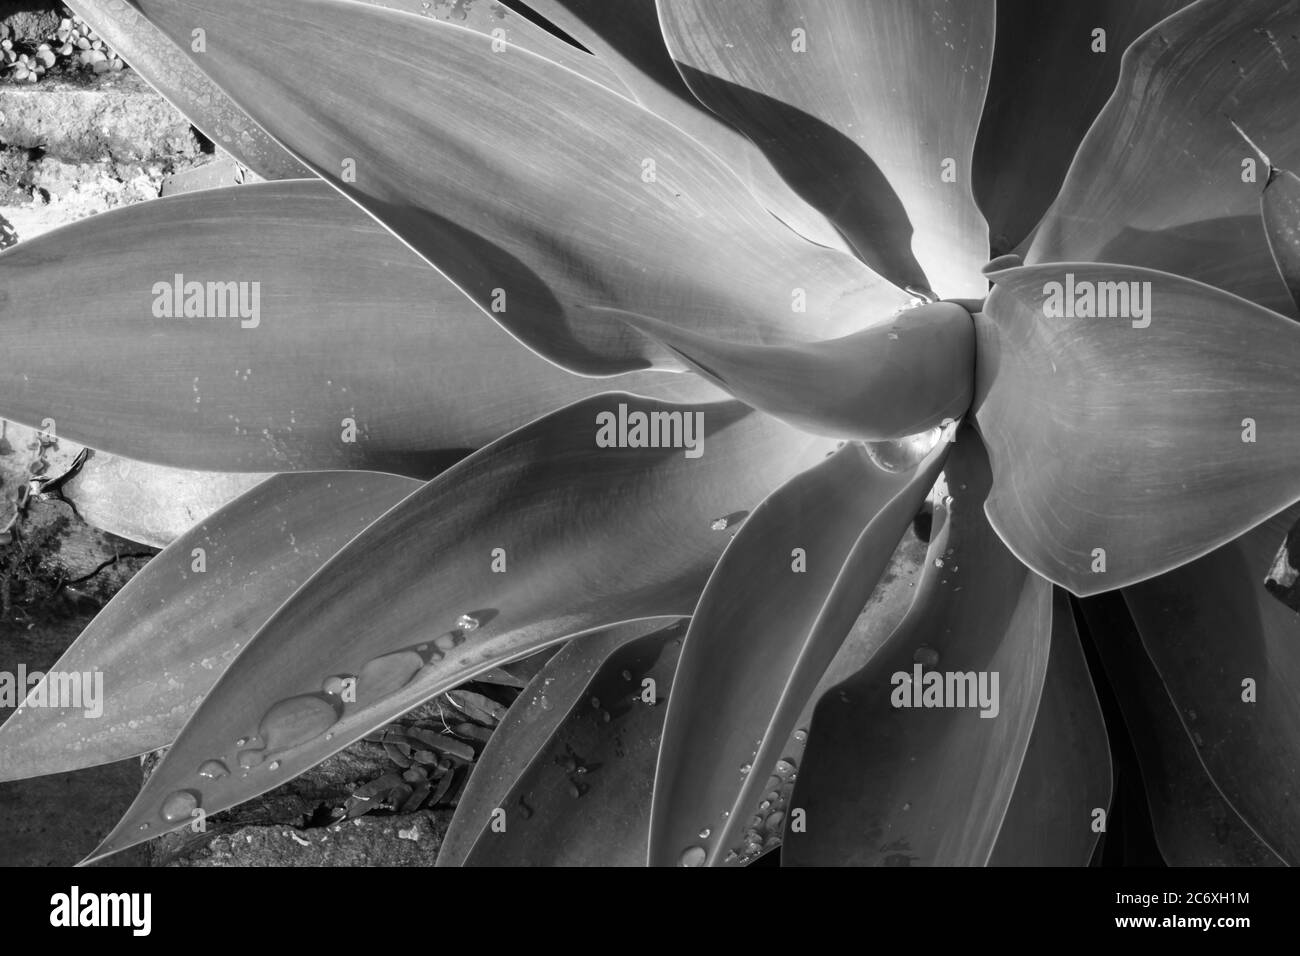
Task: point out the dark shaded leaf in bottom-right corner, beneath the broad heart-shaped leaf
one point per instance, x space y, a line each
1210 628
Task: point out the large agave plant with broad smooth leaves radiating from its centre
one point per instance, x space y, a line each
579 325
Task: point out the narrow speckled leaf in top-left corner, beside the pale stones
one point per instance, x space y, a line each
183 85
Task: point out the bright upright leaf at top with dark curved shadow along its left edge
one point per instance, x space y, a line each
869 111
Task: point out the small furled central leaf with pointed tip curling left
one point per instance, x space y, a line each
887 382
